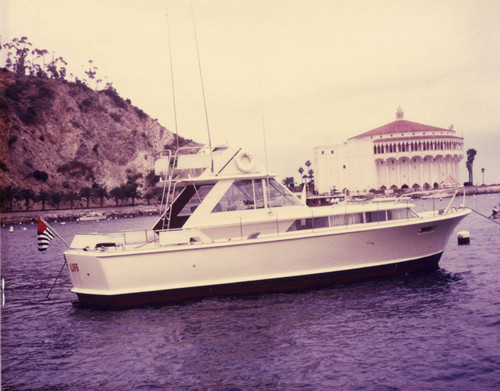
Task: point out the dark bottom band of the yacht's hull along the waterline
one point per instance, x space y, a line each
274 285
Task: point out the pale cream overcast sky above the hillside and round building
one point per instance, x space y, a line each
284 76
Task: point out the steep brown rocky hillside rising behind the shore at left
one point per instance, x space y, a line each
59 135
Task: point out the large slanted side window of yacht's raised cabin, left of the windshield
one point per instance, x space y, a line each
242 195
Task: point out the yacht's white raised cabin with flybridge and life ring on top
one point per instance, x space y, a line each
197 187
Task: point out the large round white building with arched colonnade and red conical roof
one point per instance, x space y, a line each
400 155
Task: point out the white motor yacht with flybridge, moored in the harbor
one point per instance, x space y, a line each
229 227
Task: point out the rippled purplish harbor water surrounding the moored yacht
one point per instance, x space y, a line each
432 331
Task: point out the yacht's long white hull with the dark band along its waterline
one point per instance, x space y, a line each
117 277
